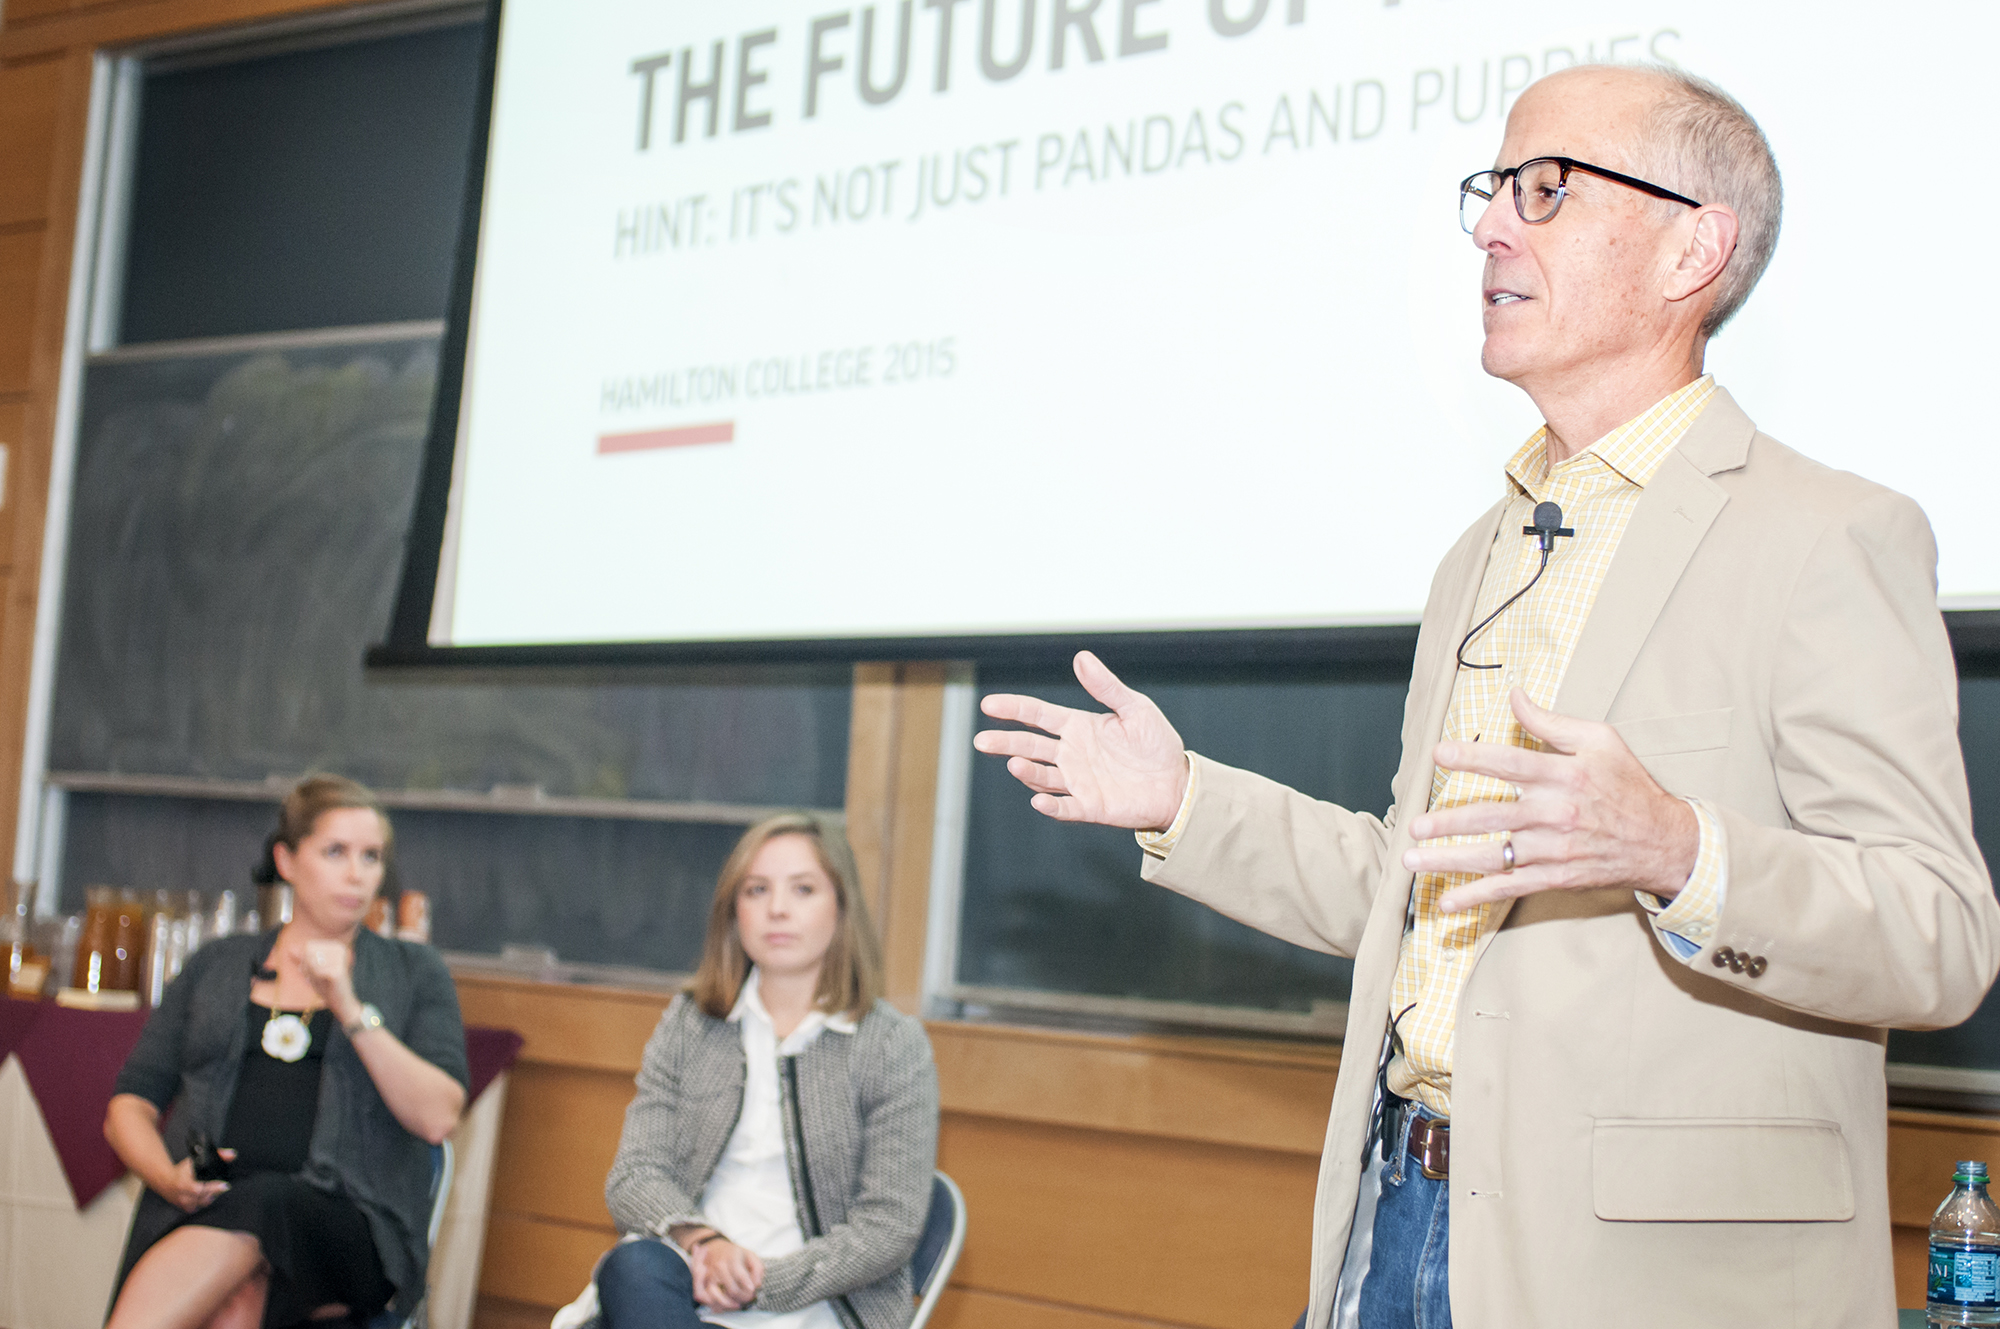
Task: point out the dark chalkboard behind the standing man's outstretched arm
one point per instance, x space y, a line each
1061 908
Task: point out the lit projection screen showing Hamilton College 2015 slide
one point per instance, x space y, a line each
999 317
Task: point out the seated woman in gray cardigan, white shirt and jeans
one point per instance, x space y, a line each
777 1160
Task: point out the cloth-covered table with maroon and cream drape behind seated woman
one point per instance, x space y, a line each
67 1202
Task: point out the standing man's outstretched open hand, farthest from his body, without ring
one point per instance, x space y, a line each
1121 770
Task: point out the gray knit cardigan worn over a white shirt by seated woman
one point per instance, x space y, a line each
861 1124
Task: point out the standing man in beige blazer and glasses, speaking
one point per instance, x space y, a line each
1681 824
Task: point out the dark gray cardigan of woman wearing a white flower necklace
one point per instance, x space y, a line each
195 1046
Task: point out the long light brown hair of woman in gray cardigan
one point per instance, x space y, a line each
851 976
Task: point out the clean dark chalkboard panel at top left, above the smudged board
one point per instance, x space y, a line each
301 189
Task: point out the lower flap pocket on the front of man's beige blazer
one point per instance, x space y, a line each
1721 1170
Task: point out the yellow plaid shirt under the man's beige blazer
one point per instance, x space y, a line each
1533 641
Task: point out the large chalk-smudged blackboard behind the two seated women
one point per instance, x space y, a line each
237 533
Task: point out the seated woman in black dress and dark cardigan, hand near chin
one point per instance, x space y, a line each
325 1062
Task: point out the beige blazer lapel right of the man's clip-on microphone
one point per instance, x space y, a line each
1679 507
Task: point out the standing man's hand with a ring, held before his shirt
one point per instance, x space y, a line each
1589 816
